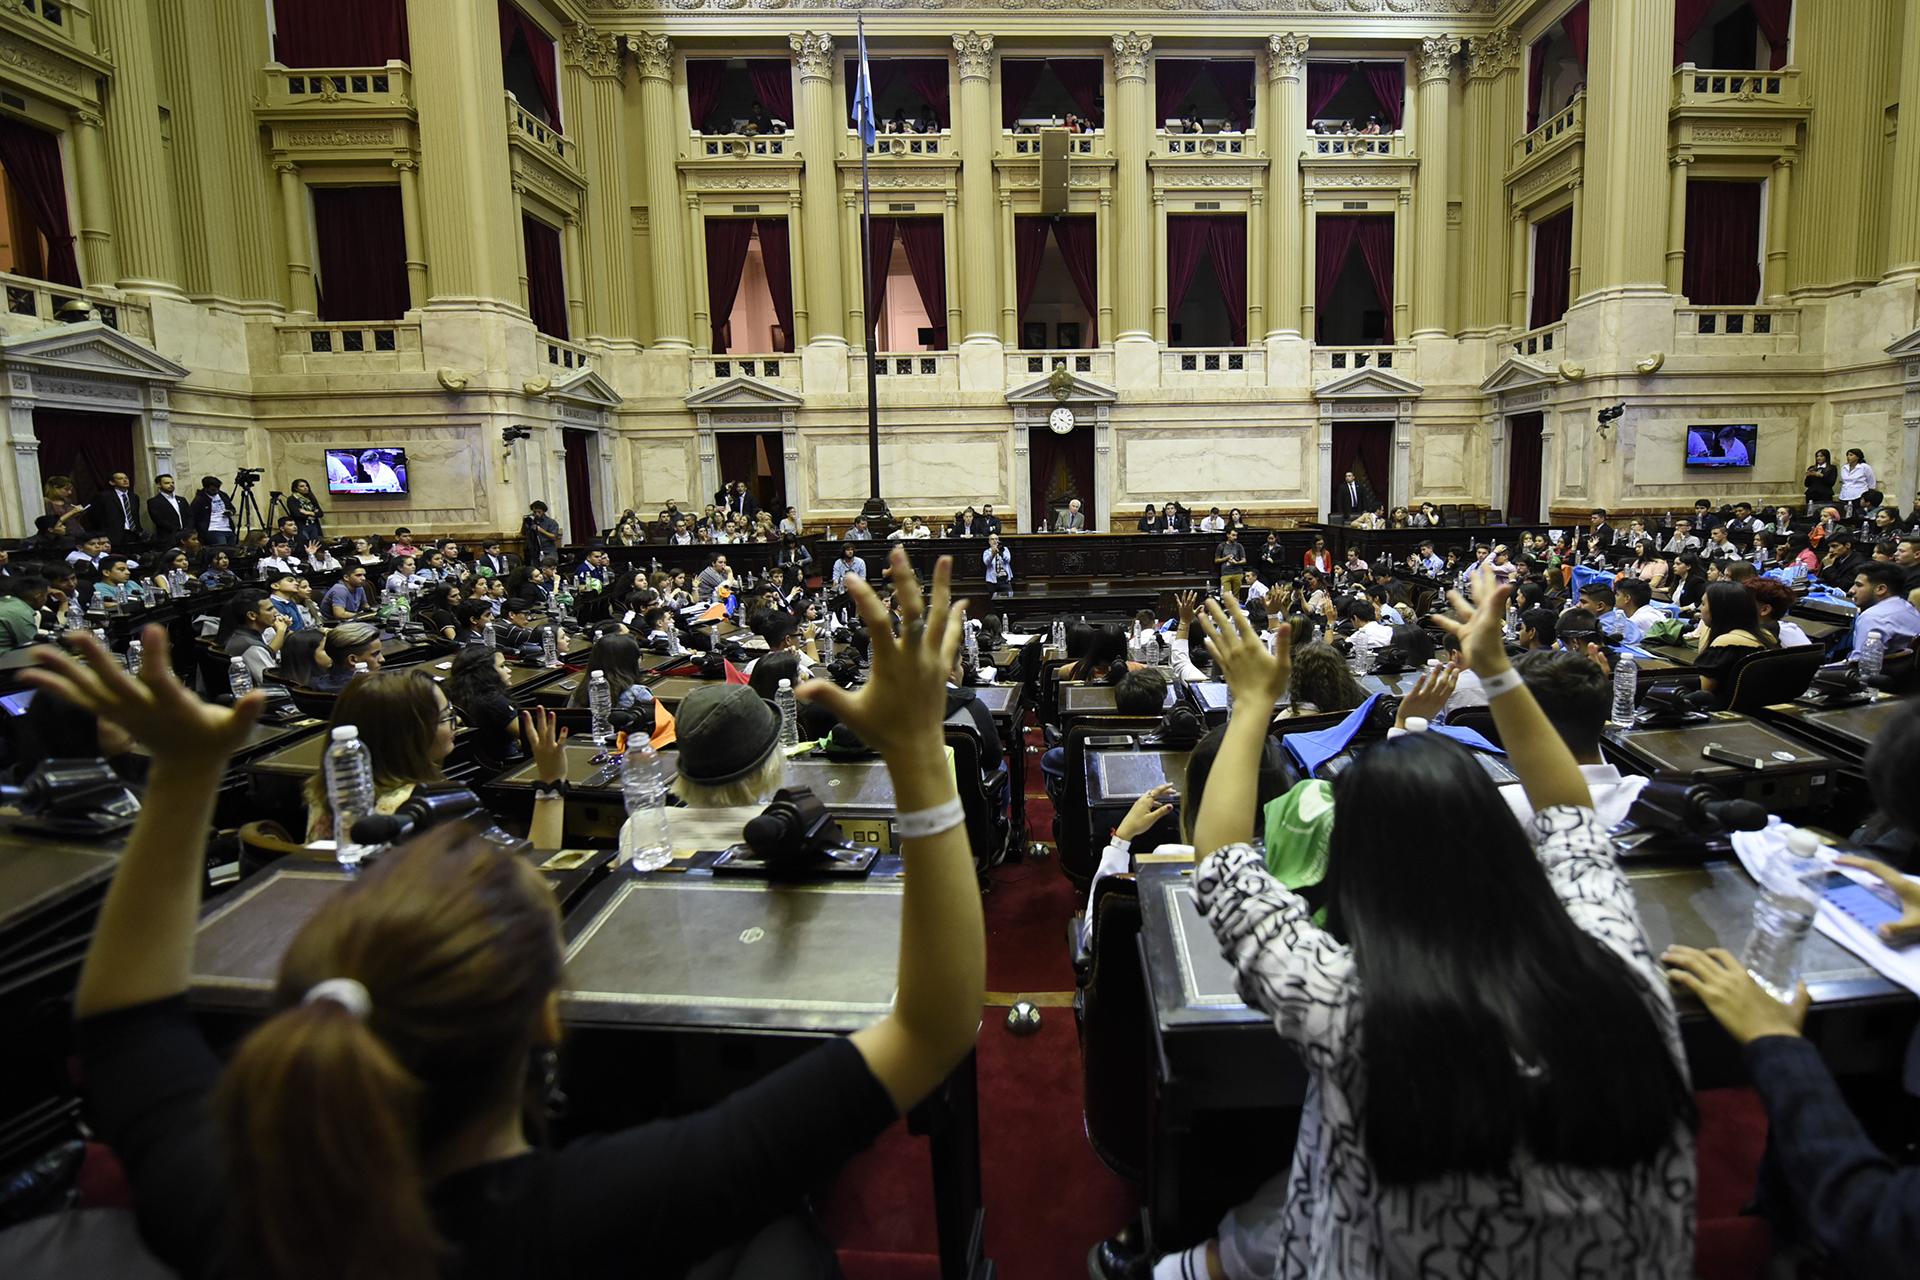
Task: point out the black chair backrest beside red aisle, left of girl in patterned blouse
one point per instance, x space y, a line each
1115 1039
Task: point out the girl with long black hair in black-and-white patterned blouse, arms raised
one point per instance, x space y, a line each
1497 1074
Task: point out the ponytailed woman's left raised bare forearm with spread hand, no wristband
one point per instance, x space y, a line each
143 945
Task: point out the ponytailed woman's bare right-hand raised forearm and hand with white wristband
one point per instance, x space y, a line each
944 939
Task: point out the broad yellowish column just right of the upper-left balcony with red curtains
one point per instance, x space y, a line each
471 231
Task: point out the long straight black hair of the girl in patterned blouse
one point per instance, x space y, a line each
1491 1022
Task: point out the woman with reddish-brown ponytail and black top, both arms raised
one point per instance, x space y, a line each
373 1127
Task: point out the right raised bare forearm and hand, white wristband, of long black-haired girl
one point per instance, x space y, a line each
1535 747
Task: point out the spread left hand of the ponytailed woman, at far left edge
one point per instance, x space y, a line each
153 707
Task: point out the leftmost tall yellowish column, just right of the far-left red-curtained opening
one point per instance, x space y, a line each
149 243
